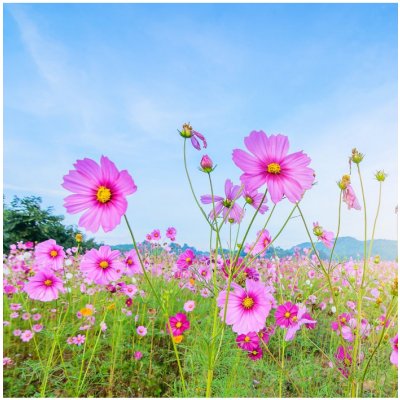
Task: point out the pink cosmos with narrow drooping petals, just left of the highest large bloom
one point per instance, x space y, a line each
228 206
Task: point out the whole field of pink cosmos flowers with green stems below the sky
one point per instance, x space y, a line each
160 321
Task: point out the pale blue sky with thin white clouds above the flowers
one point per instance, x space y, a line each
86 80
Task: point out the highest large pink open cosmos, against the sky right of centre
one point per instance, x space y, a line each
270 164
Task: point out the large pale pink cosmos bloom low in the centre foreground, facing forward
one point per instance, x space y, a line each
247 309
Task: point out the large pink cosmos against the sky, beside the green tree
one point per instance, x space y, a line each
100 191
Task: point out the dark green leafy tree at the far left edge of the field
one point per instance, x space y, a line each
25 220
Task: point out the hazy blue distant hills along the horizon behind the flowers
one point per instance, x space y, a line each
345 247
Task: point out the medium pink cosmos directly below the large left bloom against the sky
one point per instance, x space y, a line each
102 266
